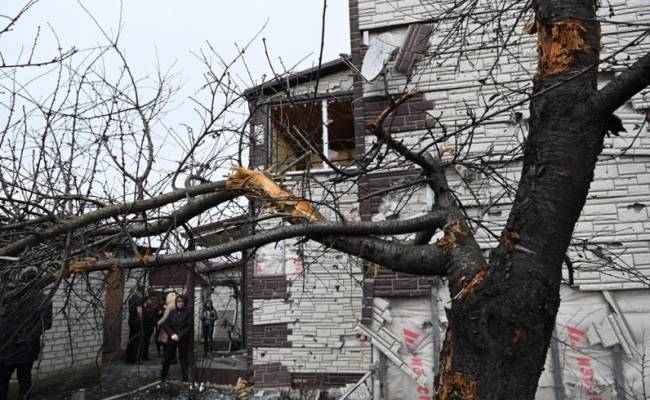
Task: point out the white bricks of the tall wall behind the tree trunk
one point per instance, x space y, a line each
616 214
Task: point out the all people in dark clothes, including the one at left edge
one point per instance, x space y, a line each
25 317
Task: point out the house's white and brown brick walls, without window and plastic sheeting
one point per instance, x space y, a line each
297 312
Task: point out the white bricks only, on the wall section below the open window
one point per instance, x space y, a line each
324 300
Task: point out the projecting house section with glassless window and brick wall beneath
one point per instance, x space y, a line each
305 302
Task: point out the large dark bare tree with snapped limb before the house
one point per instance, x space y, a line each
504 306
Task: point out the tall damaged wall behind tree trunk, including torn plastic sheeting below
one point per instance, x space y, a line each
611 249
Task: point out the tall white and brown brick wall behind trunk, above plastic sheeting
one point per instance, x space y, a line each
611 249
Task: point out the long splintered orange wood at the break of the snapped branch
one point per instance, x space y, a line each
258 185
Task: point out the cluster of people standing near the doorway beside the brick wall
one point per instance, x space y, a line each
171 324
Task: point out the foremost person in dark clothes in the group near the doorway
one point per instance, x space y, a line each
178 327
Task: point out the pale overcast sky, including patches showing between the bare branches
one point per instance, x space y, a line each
165 33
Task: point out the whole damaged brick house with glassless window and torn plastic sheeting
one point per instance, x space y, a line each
318 317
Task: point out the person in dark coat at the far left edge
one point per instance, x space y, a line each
22 323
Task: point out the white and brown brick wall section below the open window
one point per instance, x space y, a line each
305 307
